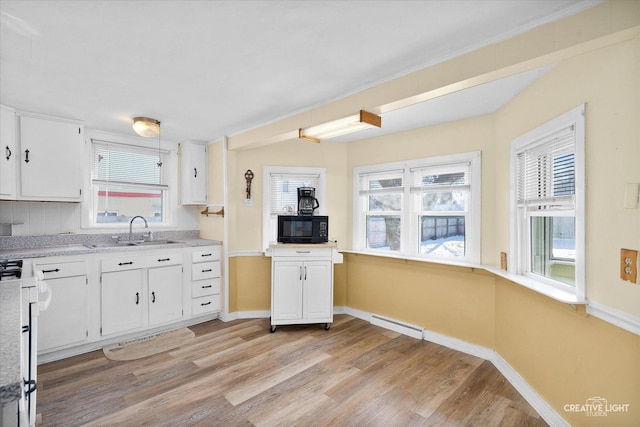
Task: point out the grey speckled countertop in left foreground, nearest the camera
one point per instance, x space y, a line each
10 378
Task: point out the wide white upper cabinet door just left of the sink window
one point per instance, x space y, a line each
50 159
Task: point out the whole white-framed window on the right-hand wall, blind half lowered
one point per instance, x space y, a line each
547 225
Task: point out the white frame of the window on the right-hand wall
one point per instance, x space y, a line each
520 224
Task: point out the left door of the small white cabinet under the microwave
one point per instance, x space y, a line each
286 295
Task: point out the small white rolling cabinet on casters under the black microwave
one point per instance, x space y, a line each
301 287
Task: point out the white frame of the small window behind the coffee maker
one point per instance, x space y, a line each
267 171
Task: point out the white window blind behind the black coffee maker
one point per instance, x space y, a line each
283 191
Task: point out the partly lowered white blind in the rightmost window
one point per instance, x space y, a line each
546 170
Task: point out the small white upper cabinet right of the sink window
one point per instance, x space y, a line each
193 173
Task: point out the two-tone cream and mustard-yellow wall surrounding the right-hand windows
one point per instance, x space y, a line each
564 354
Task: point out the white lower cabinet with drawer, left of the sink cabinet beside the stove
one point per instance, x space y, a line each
65 322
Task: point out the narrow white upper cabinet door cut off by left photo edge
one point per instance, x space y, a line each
8 153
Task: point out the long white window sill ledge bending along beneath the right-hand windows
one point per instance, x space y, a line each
541 288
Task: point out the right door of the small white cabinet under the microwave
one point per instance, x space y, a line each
318 289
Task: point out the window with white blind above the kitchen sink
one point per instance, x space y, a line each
128 181
